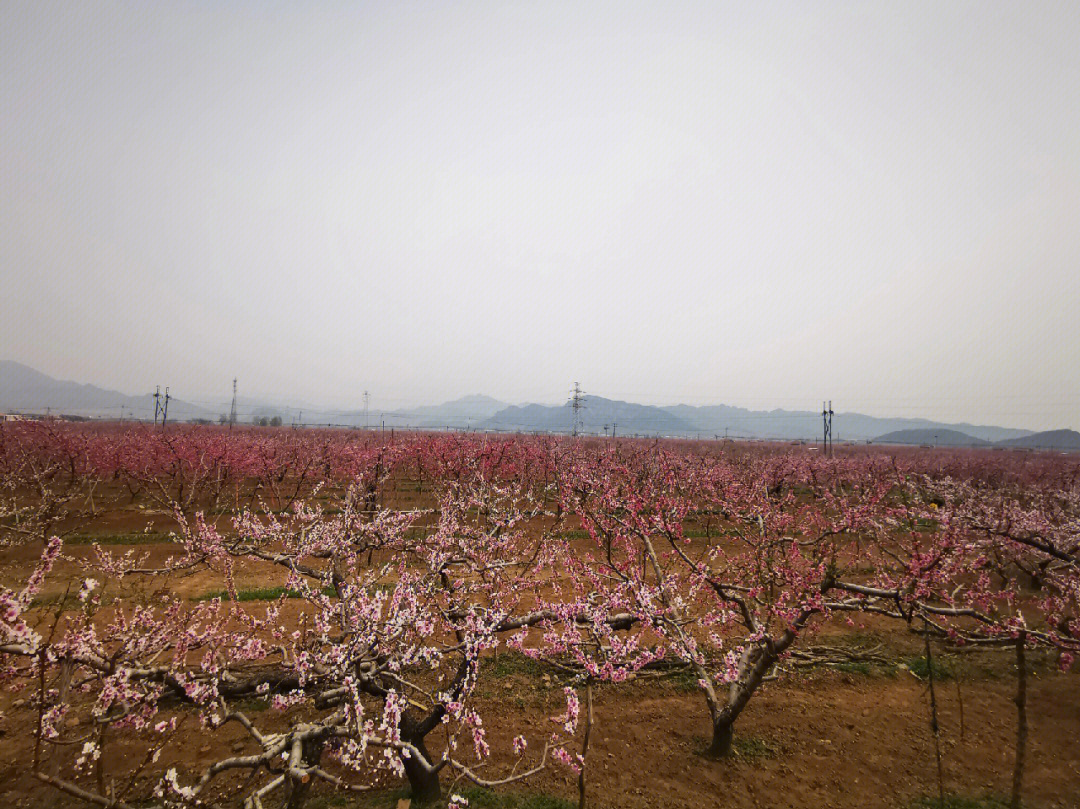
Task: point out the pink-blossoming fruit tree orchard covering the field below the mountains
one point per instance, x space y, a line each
406 562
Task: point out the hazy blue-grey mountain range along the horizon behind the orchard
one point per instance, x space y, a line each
26 390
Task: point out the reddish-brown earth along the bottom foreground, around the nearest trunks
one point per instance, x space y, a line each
822 740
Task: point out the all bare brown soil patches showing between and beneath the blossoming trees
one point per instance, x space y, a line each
815 739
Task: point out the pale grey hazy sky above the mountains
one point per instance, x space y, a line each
765 205
